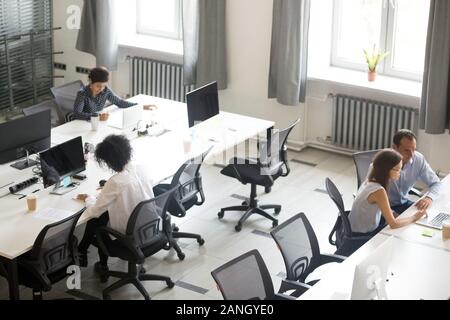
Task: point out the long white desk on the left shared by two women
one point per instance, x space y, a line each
161 155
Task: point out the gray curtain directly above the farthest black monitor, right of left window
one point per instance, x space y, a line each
204 42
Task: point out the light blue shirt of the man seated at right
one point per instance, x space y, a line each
416 169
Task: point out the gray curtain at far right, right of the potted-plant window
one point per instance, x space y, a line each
435 103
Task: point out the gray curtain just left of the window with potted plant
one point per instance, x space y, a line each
289 51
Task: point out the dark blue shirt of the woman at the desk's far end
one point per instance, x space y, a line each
85 104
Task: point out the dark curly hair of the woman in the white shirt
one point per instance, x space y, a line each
115 151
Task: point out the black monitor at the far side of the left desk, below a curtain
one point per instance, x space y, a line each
202 103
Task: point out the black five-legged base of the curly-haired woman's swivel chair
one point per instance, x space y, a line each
133 277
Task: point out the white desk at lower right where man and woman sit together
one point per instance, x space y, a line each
424 261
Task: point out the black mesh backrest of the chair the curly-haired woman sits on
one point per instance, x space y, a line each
149 219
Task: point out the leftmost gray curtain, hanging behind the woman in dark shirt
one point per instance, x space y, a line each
97 34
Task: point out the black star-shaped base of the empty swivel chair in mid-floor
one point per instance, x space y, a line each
251 207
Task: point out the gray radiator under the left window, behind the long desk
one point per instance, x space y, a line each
157 78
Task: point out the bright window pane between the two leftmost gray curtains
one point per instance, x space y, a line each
159 18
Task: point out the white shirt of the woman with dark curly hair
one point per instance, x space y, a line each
120 195
